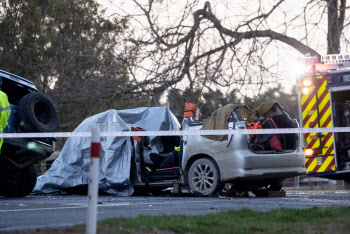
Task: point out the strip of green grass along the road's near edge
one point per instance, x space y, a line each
315 220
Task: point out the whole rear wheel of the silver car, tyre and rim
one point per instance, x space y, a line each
203 177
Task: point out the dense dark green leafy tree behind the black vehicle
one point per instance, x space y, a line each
67 48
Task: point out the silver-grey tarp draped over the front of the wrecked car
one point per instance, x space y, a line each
70 171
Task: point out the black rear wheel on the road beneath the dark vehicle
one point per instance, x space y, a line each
19 184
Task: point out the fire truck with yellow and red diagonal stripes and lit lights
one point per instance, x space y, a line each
324 102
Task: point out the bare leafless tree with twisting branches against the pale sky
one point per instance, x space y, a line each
205 48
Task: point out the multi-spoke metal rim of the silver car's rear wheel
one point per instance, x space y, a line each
203 178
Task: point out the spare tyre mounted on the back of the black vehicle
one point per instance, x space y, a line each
37 113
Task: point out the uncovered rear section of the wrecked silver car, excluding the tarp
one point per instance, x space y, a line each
254 163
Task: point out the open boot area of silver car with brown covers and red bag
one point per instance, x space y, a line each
266 116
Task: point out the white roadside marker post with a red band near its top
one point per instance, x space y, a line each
91 223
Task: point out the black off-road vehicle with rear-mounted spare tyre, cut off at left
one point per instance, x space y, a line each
31 111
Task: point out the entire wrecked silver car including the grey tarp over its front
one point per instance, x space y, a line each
202 163
